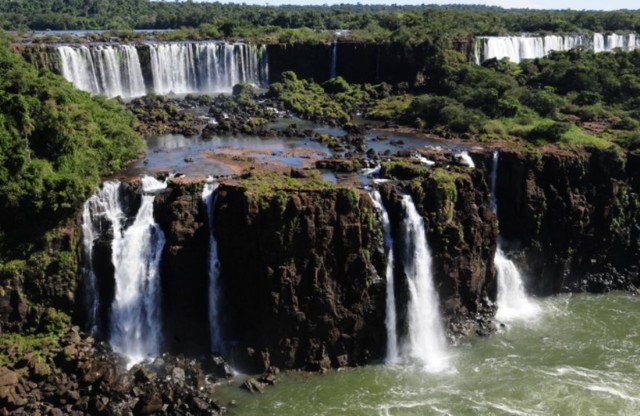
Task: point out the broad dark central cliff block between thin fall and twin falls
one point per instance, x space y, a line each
300 286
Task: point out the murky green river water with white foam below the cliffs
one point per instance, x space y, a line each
580 357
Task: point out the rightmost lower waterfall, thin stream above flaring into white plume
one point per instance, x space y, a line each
513 303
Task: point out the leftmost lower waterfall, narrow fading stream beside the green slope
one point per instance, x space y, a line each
101 211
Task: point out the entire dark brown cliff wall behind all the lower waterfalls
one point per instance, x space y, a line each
302 278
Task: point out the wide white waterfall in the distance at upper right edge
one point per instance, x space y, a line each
517 48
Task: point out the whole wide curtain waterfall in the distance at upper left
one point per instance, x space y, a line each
175 67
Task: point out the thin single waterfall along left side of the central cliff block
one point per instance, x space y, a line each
209 197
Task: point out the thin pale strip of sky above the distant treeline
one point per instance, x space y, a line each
531 4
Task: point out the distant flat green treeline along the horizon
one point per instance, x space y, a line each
397 23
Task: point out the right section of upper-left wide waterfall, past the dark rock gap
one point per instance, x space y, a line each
200 67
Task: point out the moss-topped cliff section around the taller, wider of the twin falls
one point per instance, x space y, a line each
462 235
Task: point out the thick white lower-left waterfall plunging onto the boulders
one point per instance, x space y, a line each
136 254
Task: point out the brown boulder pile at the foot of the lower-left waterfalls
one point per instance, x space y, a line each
84 376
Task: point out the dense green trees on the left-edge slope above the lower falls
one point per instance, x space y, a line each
55 143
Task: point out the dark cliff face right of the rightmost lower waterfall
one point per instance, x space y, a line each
573 216
